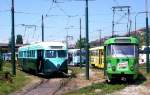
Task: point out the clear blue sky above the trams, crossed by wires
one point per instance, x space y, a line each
63 17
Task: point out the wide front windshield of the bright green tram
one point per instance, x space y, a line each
123 50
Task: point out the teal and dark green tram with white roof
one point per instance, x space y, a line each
44 57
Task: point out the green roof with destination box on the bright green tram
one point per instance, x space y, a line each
125 40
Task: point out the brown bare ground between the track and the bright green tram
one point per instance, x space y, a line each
80 81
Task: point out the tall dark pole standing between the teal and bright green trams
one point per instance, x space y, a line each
87 41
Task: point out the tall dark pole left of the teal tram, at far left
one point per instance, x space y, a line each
13 40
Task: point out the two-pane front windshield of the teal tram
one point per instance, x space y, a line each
55 53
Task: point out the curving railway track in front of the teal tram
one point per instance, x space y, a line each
46 86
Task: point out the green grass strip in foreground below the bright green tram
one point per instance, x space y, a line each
98 89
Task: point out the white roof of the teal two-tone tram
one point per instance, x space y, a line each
44 46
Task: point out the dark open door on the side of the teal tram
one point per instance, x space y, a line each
40 65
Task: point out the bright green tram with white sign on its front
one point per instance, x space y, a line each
121 58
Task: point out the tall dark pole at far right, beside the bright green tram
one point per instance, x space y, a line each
147 37
